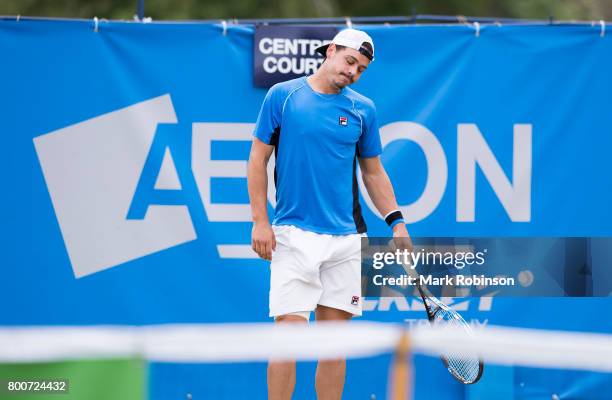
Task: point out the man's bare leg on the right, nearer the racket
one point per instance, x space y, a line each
329 381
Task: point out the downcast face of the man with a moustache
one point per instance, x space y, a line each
345 66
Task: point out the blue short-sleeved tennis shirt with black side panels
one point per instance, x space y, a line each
317 139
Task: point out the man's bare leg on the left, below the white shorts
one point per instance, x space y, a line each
281 374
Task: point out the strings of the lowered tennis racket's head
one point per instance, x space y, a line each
464 365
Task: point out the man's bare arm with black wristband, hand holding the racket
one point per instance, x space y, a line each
379 188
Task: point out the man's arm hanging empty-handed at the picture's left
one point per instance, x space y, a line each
262 237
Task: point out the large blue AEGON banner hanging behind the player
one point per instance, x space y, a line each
124 176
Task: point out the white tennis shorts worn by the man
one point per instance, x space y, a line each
310 268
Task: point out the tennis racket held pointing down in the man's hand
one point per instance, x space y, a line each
465 367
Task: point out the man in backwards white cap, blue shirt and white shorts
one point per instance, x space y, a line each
318 129
